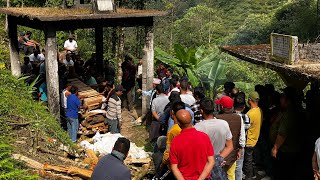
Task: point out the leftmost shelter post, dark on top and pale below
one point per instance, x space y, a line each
13 47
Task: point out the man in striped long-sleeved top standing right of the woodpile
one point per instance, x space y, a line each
113 115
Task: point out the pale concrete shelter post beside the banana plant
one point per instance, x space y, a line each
147 67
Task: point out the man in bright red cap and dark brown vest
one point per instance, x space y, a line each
238 133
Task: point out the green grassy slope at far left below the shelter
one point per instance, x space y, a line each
17 106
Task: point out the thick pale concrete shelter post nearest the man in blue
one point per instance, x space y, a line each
52 78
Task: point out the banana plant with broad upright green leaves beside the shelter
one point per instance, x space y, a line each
188 61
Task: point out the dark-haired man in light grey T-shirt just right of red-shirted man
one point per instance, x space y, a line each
220 135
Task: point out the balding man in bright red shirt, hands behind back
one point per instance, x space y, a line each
191 152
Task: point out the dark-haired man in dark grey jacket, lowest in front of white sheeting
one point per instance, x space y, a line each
111 167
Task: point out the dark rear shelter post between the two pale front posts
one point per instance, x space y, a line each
99 48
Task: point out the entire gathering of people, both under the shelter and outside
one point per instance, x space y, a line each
235 136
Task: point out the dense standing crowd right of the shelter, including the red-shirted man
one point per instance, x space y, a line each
237 135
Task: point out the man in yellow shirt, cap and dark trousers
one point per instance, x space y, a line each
255 115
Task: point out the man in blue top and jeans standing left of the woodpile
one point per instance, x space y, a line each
73 105
